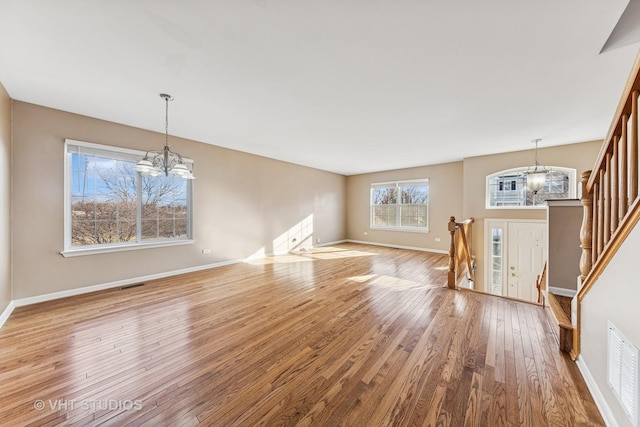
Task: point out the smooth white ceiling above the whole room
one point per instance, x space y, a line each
348 86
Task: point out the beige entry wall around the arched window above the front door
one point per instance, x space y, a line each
580 156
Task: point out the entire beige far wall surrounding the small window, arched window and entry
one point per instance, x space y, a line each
458 189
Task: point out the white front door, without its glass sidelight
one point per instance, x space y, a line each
526 253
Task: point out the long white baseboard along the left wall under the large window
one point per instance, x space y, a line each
87 289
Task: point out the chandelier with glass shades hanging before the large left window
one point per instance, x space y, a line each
165 161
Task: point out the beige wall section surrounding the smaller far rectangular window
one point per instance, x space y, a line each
445 199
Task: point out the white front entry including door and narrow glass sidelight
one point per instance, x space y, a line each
516 251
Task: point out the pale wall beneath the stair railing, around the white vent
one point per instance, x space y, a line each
615 297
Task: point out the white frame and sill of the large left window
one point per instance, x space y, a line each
121 154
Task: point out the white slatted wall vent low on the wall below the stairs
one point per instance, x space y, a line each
623 373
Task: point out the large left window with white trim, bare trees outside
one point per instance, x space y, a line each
110 205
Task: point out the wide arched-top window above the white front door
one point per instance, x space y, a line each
508 188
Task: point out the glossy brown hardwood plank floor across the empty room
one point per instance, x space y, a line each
352 335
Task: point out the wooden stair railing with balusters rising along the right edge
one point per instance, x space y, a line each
609 196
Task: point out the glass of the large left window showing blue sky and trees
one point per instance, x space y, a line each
112 203
